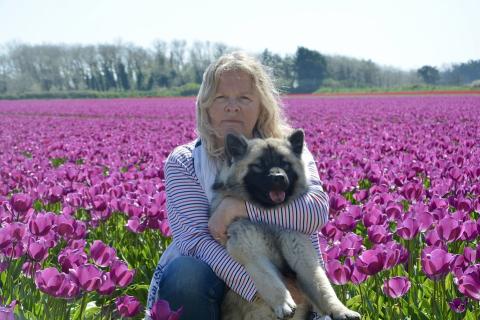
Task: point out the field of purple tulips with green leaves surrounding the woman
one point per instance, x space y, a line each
82 202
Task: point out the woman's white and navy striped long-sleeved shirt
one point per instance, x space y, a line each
188 215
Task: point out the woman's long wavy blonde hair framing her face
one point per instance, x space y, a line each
271 121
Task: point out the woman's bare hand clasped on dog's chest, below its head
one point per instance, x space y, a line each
229 209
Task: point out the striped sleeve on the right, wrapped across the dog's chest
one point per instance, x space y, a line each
306 214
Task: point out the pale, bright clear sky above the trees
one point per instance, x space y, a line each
405 34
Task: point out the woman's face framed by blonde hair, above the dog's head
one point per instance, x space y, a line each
236 105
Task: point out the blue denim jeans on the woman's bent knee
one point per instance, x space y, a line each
191 283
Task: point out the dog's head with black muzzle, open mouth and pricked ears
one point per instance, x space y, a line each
268 172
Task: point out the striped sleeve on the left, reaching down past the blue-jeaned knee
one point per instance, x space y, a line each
188 215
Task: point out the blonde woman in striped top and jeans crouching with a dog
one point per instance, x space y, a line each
236 95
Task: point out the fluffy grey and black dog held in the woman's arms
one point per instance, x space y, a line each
270 173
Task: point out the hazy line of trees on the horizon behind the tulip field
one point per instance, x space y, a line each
127 67
